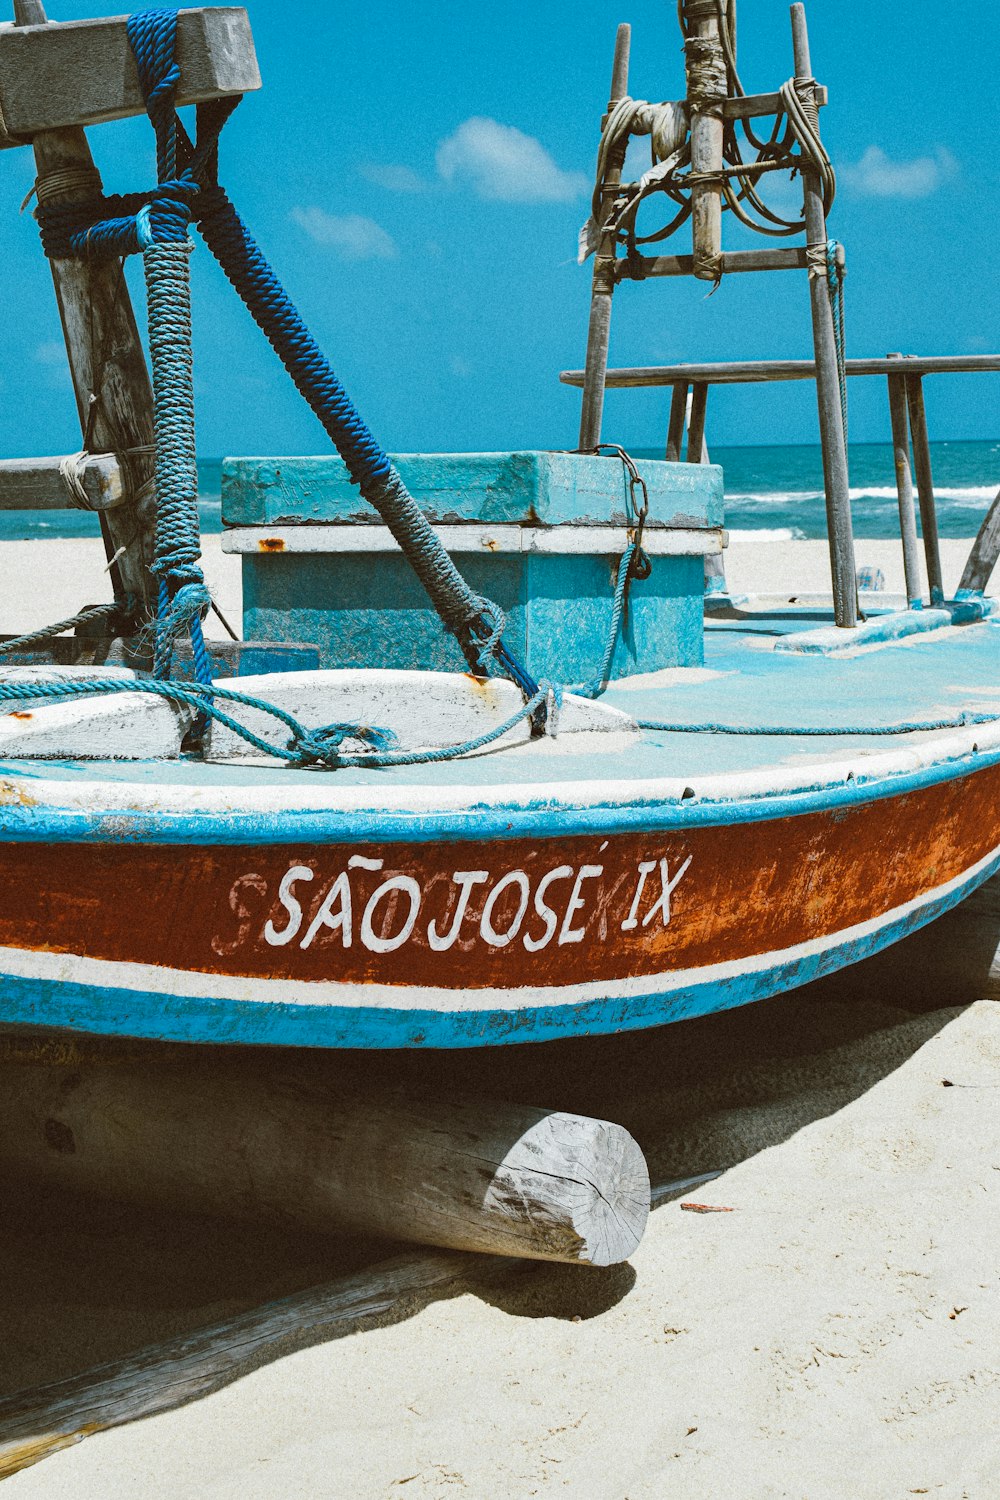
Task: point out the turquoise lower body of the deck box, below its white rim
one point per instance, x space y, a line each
370 611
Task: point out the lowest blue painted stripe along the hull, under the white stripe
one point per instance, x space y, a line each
166 1018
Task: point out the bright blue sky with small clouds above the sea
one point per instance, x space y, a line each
419 175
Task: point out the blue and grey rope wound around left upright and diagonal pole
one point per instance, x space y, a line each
157 224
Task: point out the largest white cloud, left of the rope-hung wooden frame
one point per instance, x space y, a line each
501 163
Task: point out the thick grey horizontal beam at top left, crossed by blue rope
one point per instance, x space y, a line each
83 73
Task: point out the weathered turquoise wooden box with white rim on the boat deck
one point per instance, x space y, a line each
540 533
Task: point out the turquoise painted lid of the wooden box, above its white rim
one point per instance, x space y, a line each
530 488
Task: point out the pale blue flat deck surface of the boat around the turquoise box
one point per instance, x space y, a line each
744 685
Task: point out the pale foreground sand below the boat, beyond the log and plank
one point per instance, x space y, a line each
834 1337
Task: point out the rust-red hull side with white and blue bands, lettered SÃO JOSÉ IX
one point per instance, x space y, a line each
340 938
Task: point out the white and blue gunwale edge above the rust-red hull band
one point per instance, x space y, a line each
35 809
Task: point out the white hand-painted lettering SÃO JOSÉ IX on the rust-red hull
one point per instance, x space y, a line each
555 907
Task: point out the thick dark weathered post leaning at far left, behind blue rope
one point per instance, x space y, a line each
107 365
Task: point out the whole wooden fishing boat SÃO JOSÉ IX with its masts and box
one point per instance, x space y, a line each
732 803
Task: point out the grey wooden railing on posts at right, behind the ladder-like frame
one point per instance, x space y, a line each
905 379
